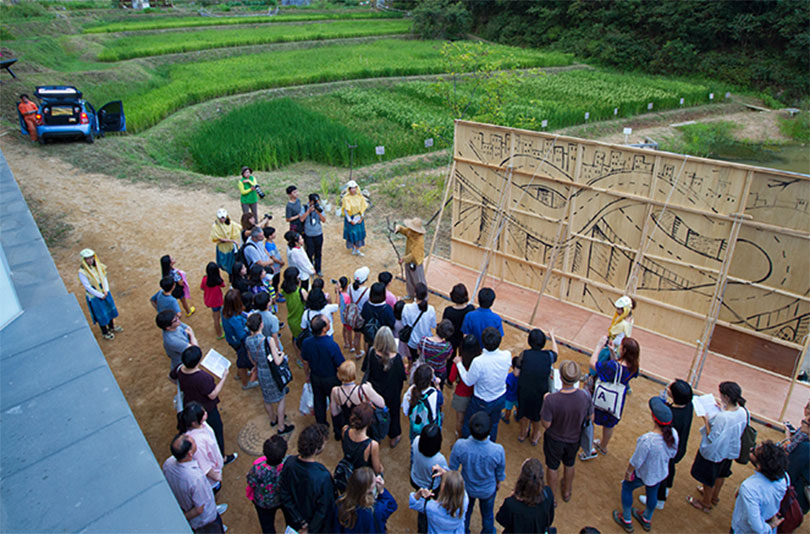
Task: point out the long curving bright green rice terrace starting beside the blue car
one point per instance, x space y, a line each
182 85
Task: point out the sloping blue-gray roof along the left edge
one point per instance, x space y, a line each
72 456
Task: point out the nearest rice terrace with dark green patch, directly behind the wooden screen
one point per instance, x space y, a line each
260 134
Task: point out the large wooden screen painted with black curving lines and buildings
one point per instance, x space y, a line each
698 241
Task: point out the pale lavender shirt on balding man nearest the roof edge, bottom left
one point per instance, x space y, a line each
191 489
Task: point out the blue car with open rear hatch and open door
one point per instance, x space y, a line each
64 113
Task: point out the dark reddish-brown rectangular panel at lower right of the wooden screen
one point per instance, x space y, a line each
754 350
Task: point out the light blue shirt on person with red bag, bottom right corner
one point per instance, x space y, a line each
757 501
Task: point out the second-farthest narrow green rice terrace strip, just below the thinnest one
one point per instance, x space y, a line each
156 44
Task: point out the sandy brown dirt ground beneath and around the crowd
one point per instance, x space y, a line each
131 225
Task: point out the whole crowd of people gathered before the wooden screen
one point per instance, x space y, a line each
398 357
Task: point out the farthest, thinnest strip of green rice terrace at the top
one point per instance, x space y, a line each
166 23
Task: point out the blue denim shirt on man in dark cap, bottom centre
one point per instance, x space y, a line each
483 465
